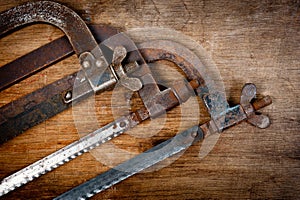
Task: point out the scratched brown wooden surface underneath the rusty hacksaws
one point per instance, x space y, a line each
249 41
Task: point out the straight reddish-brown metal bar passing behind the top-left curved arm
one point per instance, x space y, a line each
44 56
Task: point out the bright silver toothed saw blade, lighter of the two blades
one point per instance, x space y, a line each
66 154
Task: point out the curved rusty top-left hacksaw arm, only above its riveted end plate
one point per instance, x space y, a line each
53 13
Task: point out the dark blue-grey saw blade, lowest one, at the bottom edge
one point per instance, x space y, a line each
137 164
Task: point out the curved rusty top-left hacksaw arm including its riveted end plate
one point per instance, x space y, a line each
71 24
